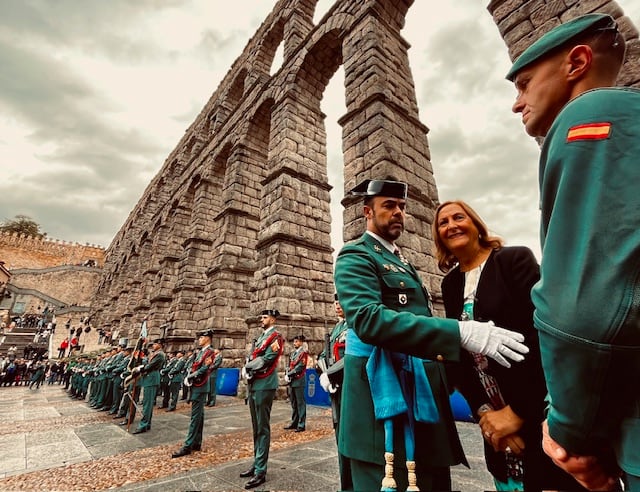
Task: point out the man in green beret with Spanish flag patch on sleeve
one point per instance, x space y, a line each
586 302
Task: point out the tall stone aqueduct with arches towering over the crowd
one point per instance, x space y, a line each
238 220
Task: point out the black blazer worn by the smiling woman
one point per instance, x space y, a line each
503 296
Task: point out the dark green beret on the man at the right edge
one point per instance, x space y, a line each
560 35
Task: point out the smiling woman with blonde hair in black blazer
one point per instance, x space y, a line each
488 281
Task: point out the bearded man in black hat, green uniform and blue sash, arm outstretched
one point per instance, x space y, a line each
396 424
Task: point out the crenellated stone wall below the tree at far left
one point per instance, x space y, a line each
20 251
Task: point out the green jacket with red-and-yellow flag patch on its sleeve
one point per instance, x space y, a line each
588 298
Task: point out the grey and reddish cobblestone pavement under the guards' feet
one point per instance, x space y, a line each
54 443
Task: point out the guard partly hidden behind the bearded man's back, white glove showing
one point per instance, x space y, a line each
331 363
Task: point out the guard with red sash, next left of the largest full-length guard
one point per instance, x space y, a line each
198 380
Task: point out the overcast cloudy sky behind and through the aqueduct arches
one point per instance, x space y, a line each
95 94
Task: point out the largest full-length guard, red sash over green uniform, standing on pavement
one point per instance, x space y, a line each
262 380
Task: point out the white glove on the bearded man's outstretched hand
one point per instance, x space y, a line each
492 341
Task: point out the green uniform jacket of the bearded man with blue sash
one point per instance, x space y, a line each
386 305
